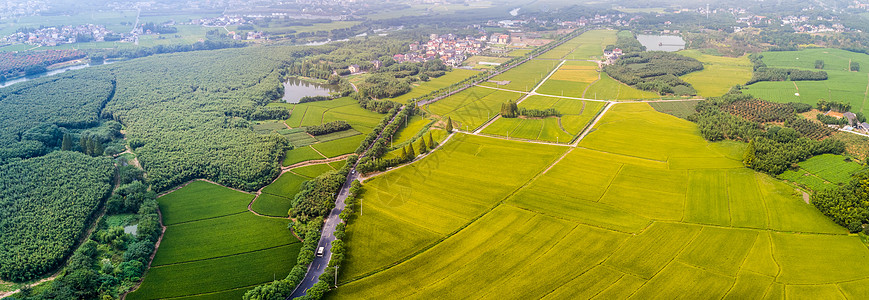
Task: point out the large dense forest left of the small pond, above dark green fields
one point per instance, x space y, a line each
192 121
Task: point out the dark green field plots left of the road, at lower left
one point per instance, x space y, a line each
211 243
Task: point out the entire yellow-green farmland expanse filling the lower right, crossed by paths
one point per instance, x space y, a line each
642 204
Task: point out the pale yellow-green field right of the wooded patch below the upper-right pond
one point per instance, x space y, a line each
719 73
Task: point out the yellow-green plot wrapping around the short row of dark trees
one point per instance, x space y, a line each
576 115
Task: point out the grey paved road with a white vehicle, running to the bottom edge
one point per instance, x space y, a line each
318 266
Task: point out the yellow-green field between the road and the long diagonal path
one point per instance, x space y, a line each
414 198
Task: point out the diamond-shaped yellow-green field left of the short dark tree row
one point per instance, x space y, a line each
471 108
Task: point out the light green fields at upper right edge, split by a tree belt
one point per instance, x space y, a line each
842 84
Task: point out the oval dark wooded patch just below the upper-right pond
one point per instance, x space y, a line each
655 71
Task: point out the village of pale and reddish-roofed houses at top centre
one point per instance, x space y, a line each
450 49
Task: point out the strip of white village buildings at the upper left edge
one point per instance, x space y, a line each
53 36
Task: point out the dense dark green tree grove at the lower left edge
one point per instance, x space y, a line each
46 204
